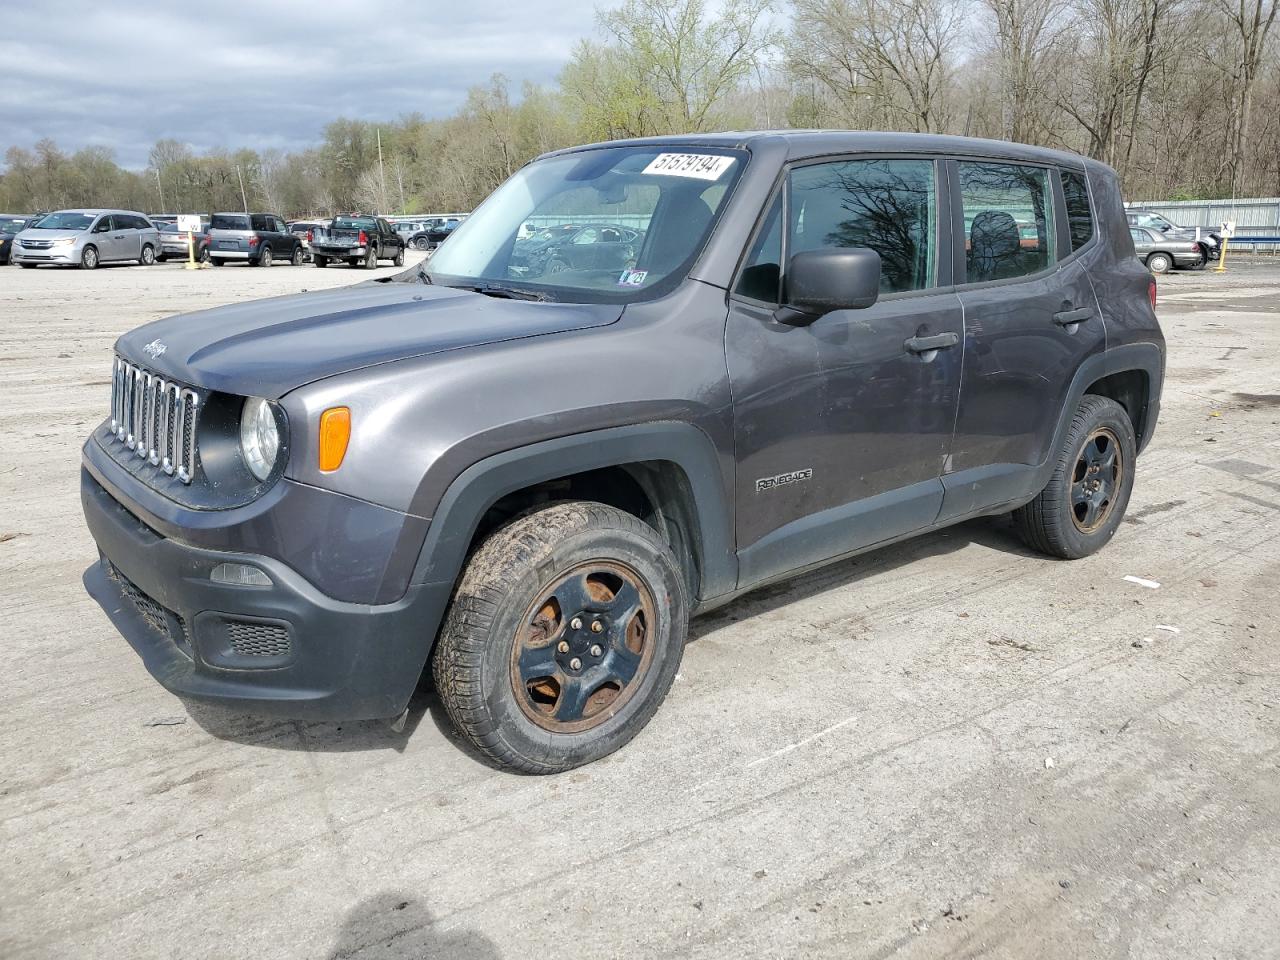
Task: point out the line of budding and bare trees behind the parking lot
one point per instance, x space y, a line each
1181 97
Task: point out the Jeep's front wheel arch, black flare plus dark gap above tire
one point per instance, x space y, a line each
665 473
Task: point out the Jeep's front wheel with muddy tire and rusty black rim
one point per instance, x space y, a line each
504 693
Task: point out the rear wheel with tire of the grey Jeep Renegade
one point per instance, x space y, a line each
1068 519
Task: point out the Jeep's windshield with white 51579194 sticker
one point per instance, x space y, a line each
609 226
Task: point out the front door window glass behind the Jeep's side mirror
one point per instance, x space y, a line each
888 205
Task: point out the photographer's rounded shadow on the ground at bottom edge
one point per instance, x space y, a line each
394 924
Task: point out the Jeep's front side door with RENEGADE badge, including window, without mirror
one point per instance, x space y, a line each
843 427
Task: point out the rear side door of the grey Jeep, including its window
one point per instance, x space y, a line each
1031 319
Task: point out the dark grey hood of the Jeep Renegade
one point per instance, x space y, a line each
269 348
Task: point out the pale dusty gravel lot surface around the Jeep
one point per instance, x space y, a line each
950 748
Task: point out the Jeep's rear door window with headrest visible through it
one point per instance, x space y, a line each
1008 220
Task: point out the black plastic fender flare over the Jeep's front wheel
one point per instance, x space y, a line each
479 487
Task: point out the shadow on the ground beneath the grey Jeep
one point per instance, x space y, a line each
353 737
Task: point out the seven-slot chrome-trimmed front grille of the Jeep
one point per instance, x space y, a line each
156 419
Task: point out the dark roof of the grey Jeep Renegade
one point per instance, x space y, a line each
802 144
